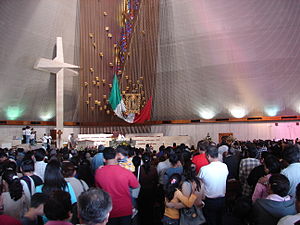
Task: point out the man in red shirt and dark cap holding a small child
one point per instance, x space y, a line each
117 181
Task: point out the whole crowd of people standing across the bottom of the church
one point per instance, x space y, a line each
230 183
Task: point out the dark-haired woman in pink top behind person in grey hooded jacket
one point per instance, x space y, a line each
272 166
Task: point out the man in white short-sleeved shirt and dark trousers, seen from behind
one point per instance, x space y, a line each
214 176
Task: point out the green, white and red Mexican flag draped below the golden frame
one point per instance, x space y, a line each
118 105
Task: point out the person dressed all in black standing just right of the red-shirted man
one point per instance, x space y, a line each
148 179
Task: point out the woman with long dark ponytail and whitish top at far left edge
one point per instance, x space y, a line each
15 203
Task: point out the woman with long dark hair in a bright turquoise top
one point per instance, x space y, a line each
54 180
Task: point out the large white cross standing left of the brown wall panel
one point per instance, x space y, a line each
57 66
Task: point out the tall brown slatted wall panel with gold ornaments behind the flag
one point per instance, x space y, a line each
100 28
